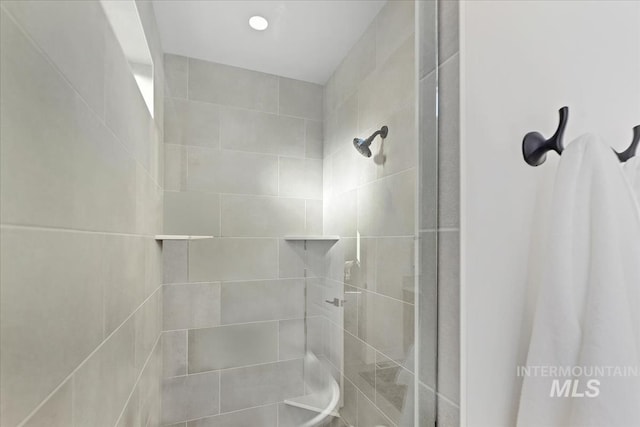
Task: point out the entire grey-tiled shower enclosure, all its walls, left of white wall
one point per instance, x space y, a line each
214 332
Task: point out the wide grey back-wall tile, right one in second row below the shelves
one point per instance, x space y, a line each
262 300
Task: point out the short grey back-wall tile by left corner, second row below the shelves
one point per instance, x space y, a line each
192 305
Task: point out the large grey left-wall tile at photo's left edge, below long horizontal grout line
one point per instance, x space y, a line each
51 313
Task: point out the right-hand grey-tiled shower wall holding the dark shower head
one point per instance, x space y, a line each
371 204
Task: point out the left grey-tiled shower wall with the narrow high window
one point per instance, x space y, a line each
81 198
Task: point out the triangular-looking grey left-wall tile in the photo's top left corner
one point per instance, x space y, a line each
82 59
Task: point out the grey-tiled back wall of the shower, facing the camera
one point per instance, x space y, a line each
243 164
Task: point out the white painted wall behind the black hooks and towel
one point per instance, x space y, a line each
520 62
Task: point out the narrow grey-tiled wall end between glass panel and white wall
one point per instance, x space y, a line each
439 211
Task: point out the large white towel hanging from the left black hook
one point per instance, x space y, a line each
588 308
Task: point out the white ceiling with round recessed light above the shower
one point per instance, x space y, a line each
305 40
